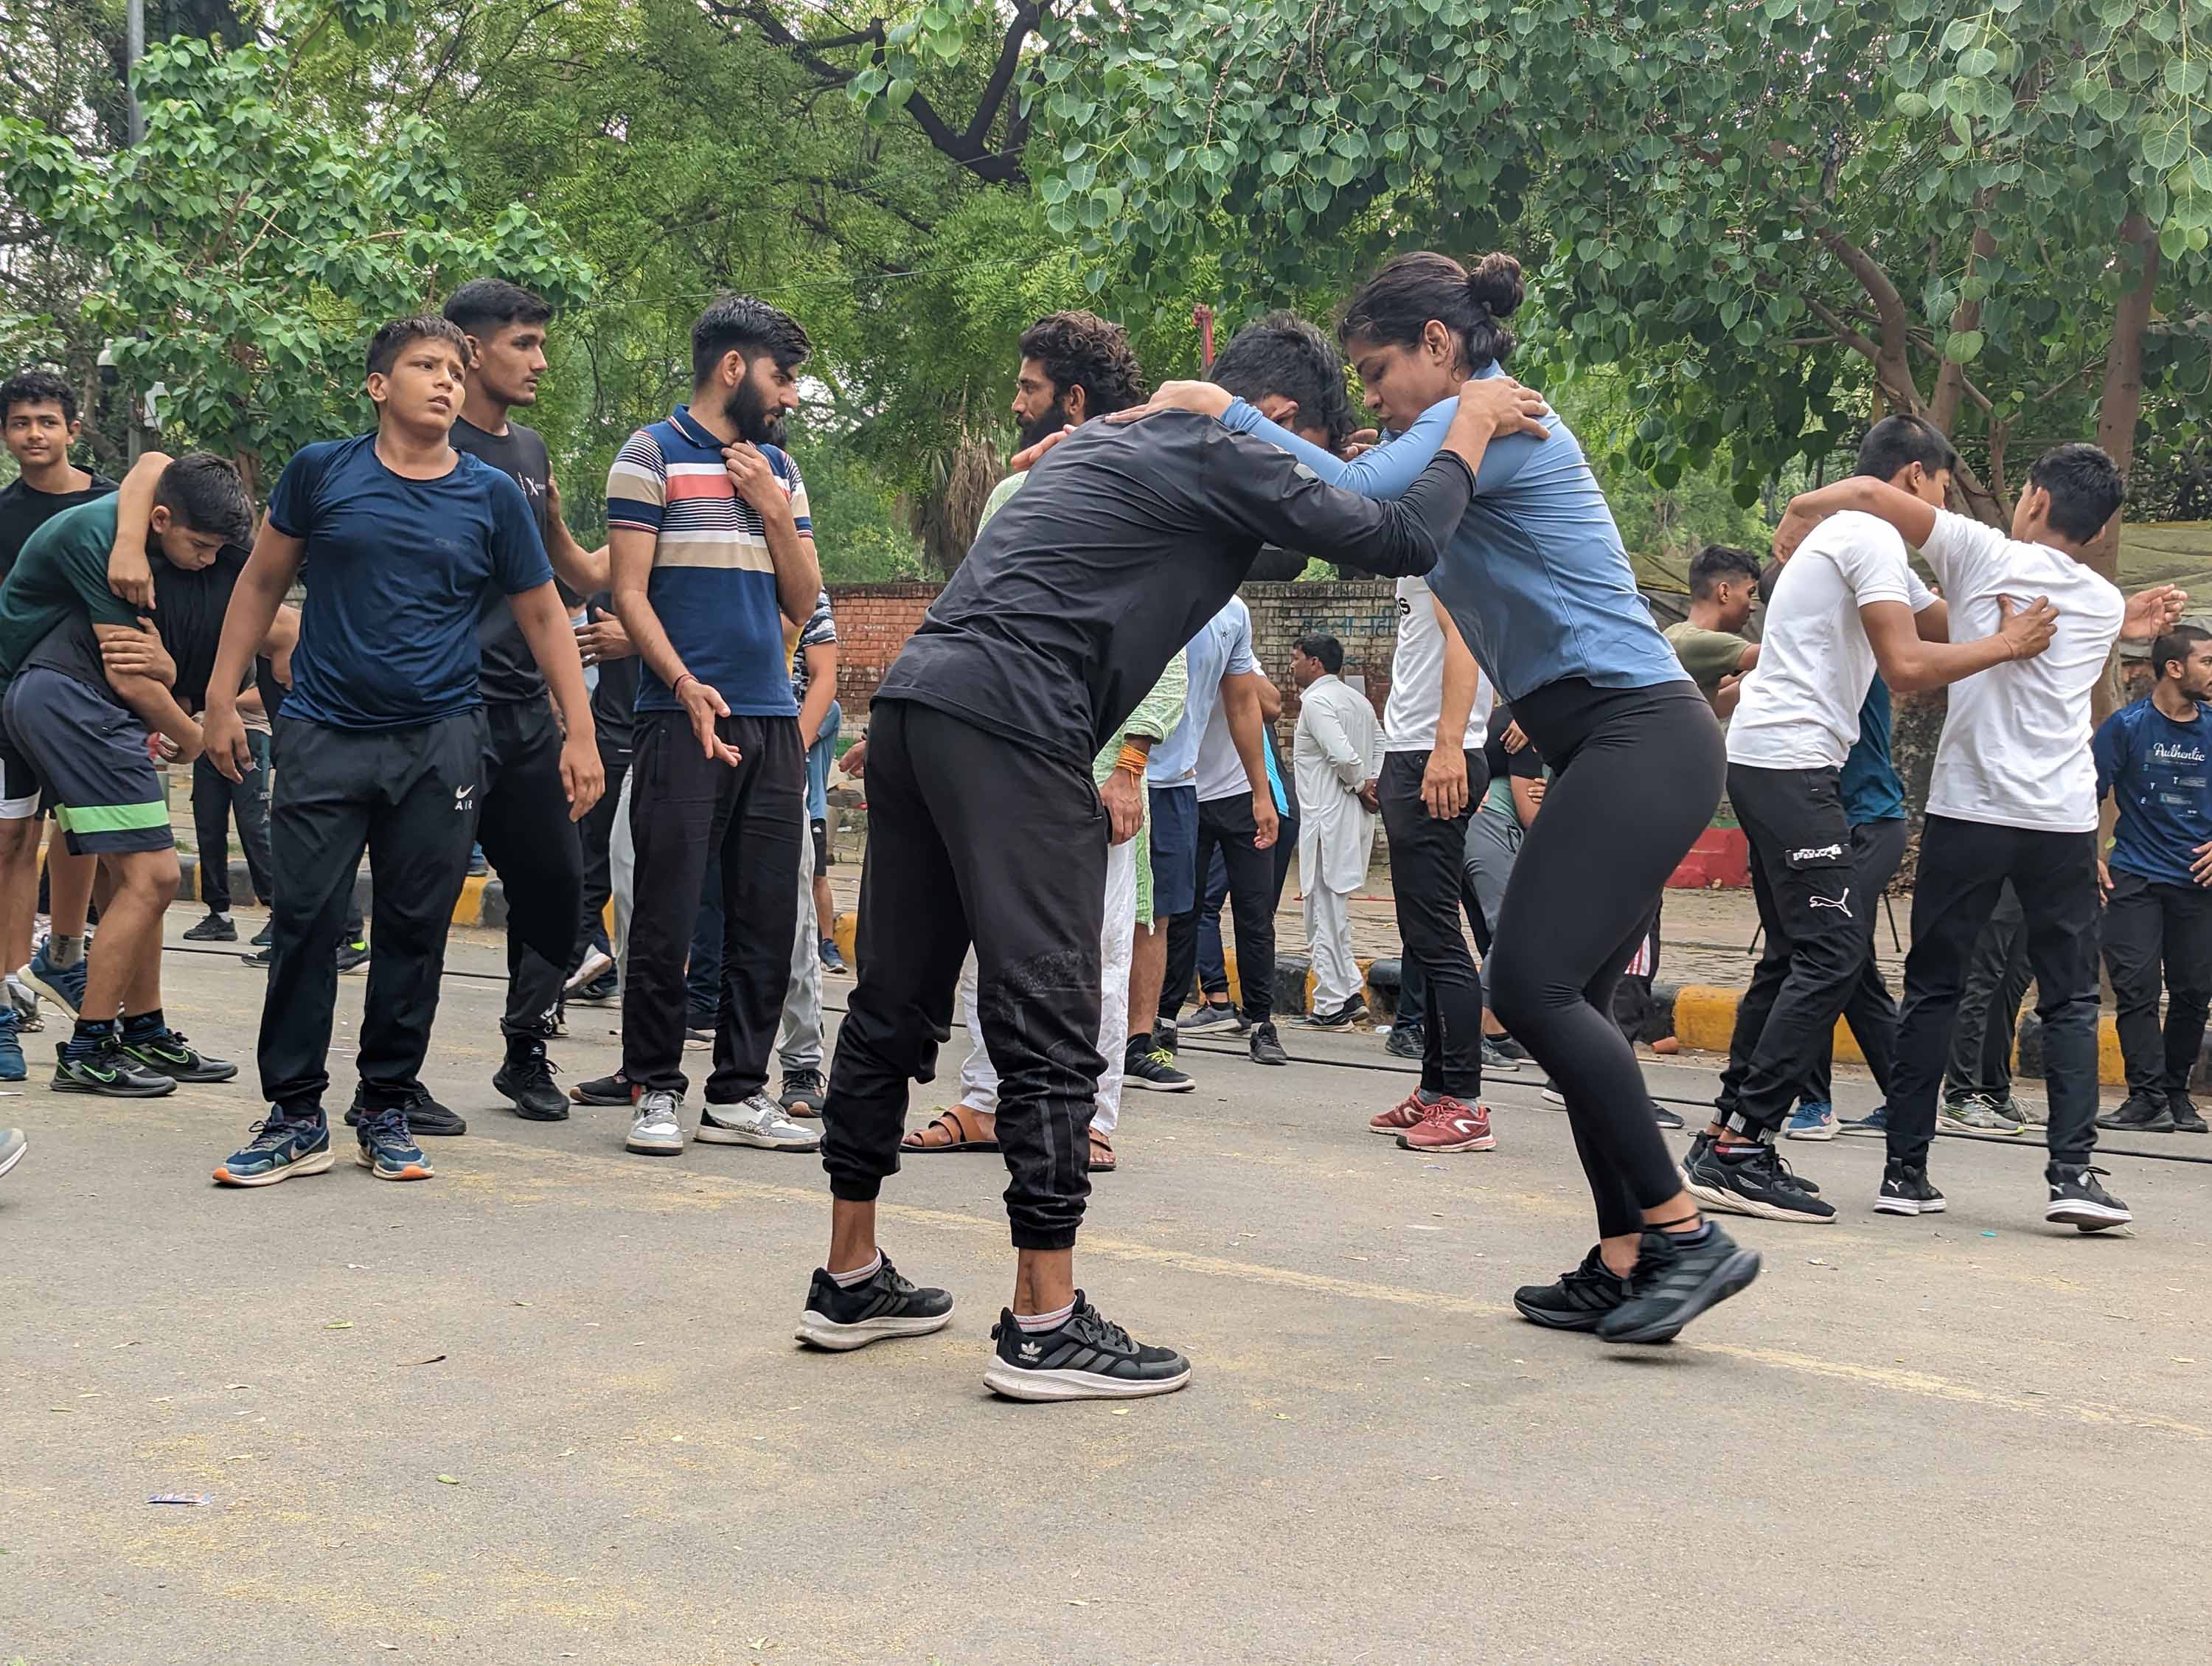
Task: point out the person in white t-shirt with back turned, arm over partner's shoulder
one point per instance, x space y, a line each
2014 798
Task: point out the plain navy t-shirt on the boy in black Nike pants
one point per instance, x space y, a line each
397 574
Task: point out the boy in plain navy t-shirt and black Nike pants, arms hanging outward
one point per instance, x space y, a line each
384 733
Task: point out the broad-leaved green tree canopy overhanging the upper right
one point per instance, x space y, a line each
1764 209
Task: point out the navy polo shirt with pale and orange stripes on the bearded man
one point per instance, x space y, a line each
713 581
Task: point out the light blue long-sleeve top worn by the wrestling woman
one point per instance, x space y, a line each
1536 576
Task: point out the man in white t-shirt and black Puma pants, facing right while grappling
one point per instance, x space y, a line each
1844 605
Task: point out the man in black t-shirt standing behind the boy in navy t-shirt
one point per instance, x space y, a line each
523 824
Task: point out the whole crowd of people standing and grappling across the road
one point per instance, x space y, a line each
1072 769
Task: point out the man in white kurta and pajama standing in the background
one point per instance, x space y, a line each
1335 760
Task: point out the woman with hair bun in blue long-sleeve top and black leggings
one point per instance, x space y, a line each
1545 596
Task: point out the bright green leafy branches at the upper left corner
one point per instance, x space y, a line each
251 244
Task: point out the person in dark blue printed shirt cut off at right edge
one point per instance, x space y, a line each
2151 758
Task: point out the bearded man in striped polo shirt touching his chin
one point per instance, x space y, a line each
707 523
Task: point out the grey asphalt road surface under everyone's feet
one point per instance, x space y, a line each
1957 1439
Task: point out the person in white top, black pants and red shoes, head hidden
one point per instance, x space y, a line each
1430 787
